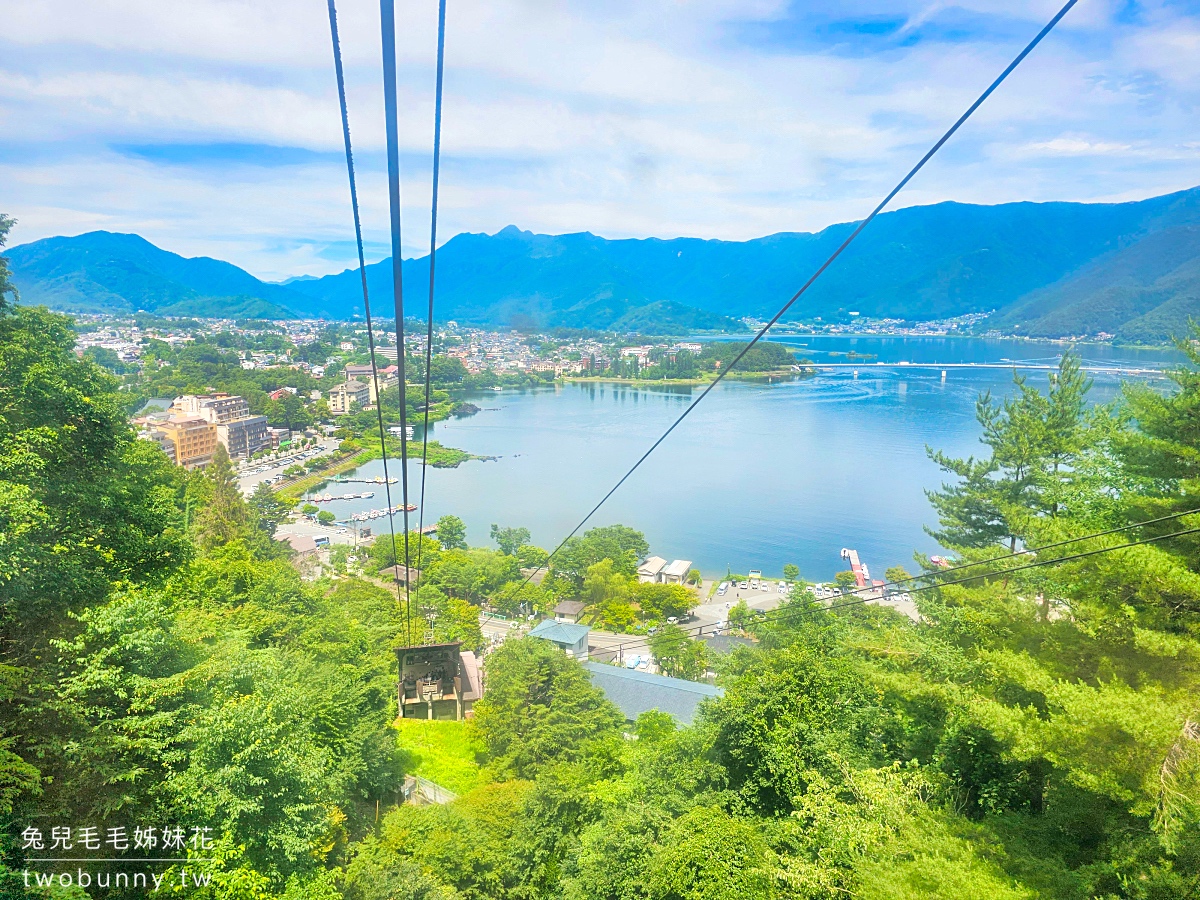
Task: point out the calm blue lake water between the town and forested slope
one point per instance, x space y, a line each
759 476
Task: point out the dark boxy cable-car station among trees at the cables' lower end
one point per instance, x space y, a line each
439 681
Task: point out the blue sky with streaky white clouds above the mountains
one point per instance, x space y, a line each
212 128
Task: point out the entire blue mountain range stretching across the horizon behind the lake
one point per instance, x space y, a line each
1048 269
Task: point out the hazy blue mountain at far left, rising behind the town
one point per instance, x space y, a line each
103 272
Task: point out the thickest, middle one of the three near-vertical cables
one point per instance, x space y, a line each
388 28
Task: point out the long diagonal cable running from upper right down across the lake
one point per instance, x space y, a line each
725 370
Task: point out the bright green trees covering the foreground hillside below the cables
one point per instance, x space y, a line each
1037 735
